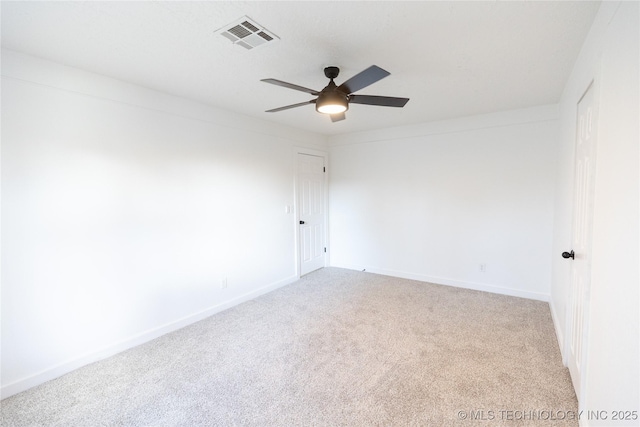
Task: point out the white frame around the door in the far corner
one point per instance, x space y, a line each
296 204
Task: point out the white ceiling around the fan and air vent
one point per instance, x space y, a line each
452 59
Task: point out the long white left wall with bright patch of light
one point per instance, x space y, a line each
122 211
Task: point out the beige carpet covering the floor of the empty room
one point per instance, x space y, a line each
338 347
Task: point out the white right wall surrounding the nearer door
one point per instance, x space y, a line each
610 57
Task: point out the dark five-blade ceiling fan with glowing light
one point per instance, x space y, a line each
334 100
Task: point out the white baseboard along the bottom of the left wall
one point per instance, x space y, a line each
78 362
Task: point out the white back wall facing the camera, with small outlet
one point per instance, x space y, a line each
433 202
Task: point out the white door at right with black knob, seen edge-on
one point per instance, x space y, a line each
581 240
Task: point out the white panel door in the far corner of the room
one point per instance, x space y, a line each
311 172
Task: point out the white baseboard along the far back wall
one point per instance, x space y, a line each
452 282
